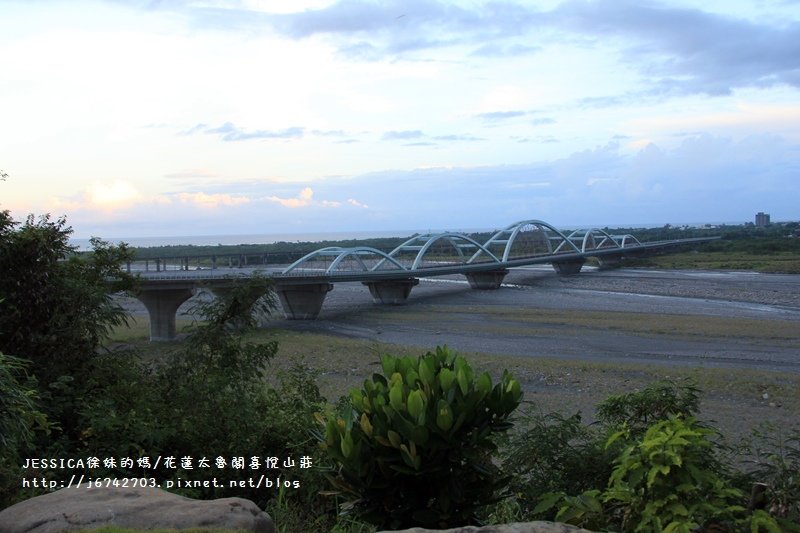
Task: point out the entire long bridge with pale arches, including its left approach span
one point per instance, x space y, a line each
391 276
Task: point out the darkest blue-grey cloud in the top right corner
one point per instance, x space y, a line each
687 50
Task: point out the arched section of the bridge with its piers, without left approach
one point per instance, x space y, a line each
390 276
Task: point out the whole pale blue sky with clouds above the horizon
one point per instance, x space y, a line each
138 118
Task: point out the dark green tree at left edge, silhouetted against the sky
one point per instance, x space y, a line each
56 303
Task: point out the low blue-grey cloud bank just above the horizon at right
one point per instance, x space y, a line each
725 180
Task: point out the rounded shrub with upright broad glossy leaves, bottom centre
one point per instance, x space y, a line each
414 446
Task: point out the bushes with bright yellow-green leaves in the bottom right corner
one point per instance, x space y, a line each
649 466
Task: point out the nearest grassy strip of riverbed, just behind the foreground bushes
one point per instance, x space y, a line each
732 398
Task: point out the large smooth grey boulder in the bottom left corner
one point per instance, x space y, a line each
138 508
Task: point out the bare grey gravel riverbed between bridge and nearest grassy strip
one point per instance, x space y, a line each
675 318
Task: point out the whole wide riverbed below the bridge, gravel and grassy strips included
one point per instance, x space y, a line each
573 341
